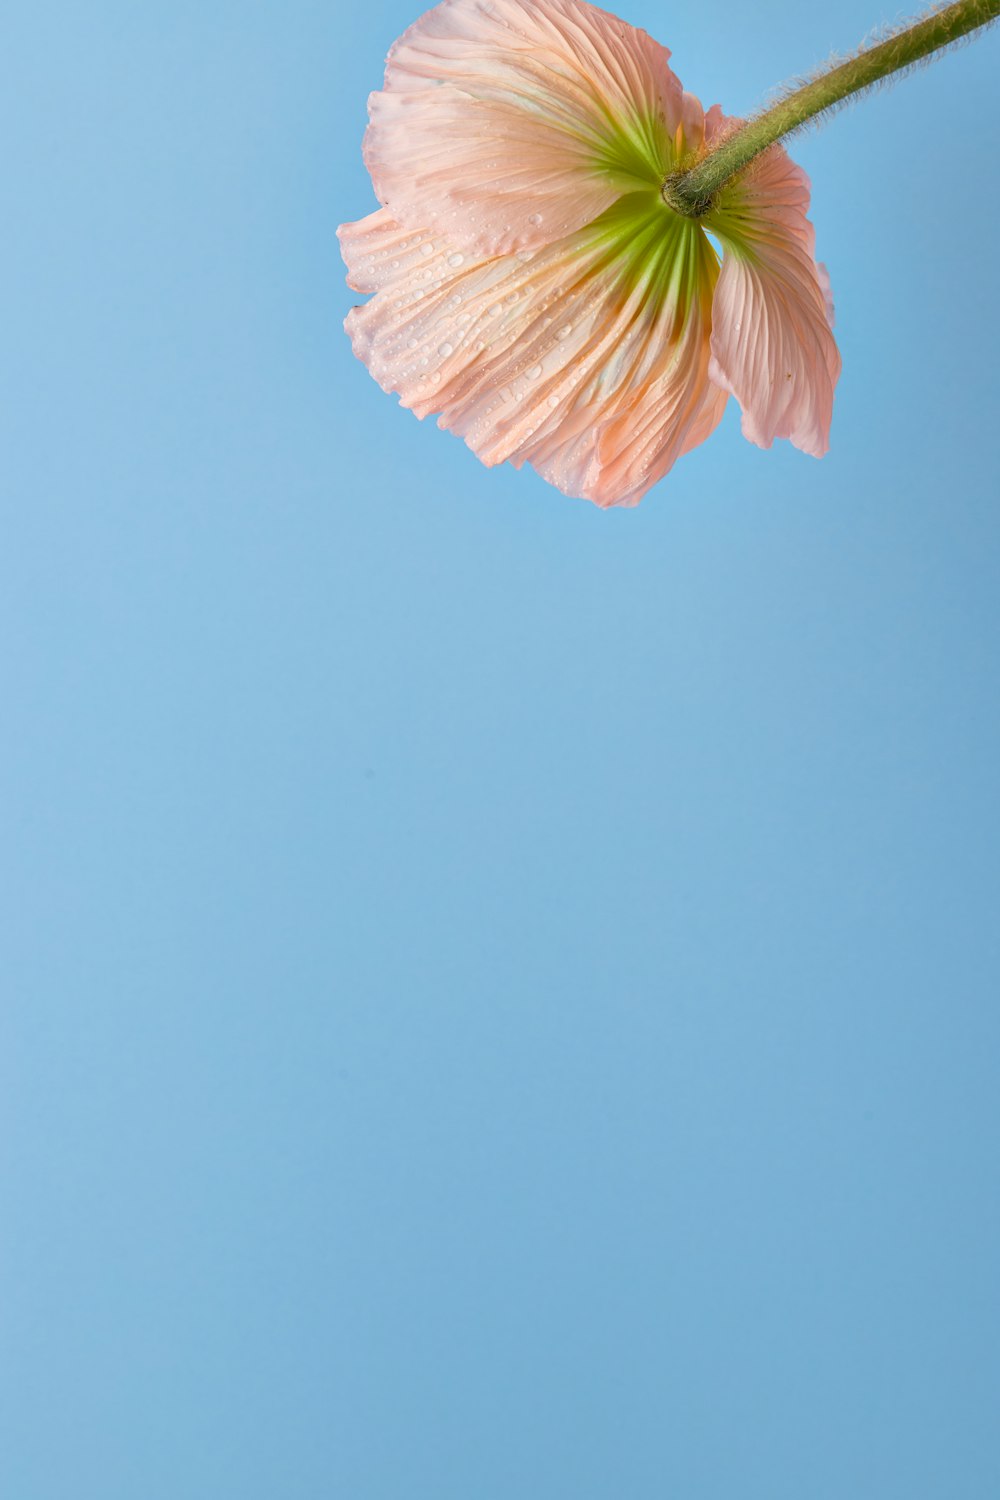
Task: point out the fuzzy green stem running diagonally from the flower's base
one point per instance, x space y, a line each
692 193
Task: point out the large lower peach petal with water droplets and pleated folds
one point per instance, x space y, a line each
587 359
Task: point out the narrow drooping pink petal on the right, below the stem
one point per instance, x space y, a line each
773 314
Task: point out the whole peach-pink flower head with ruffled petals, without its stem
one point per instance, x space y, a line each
533 287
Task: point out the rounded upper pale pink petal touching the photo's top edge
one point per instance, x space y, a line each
510 124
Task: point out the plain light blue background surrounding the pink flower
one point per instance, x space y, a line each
500 1000
